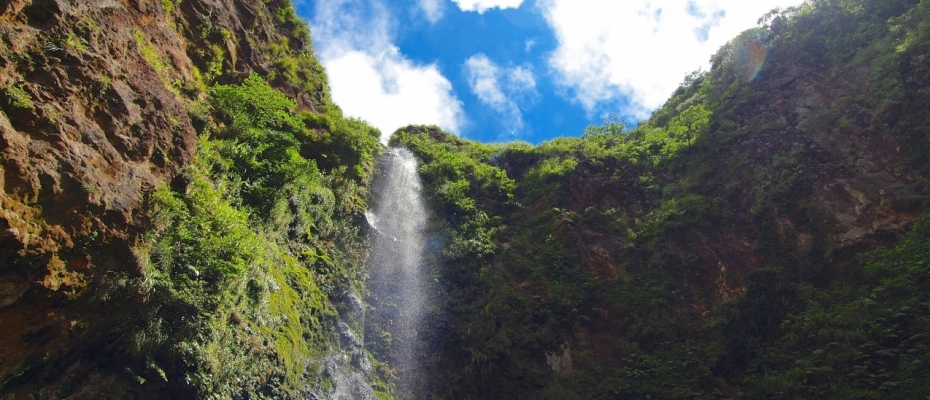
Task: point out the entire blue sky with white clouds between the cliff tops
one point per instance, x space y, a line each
502 70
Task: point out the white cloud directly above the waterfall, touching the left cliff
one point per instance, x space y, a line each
371 79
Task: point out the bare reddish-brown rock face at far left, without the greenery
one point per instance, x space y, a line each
88 123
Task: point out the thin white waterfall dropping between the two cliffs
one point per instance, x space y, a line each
397 283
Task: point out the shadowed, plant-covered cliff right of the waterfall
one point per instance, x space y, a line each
727 247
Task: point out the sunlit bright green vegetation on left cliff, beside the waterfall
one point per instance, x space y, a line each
250 244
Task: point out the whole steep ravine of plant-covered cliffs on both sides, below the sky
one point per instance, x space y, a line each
184 216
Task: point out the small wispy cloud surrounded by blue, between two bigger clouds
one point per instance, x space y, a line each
500 88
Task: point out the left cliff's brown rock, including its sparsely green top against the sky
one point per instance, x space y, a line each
100 101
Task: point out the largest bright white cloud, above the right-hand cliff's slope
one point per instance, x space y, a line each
641 50
